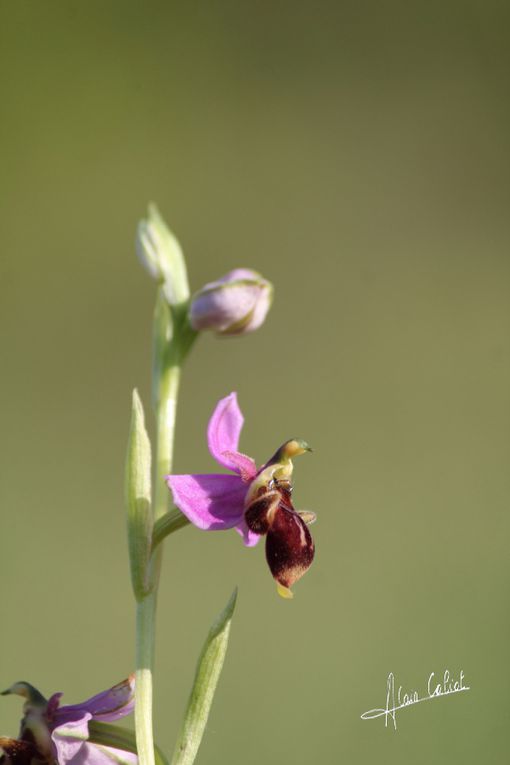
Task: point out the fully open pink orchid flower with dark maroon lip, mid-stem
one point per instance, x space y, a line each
254 502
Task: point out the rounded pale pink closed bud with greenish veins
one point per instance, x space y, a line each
233 305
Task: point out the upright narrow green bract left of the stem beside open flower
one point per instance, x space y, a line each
138 500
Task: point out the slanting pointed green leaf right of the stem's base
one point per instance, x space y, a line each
207 675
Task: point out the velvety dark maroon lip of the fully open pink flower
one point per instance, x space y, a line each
289 544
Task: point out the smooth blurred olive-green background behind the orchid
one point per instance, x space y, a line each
357 154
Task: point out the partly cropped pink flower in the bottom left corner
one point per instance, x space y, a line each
53 734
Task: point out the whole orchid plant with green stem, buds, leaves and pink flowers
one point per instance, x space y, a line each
255 501
